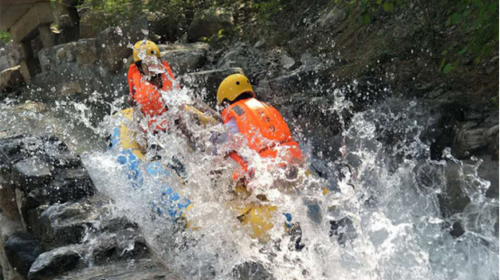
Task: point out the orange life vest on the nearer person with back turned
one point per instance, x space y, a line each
264 129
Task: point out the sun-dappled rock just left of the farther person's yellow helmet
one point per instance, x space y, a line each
112 44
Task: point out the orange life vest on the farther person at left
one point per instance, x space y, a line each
147 95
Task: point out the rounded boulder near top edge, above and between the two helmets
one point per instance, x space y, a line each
208 22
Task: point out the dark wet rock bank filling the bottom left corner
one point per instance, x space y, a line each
70 226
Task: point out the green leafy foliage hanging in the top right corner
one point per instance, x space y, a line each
473 22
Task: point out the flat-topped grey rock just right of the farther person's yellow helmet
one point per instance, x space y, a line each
185 58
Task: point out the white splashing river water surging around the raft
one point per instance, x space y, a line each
381 219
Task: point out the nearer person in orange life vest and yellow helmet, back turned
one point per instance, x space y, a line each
258 124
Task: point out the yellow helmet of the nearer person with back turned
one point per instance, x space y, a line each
232 87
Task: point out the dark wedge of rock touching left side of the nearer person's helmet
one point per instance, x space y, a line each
206 83
